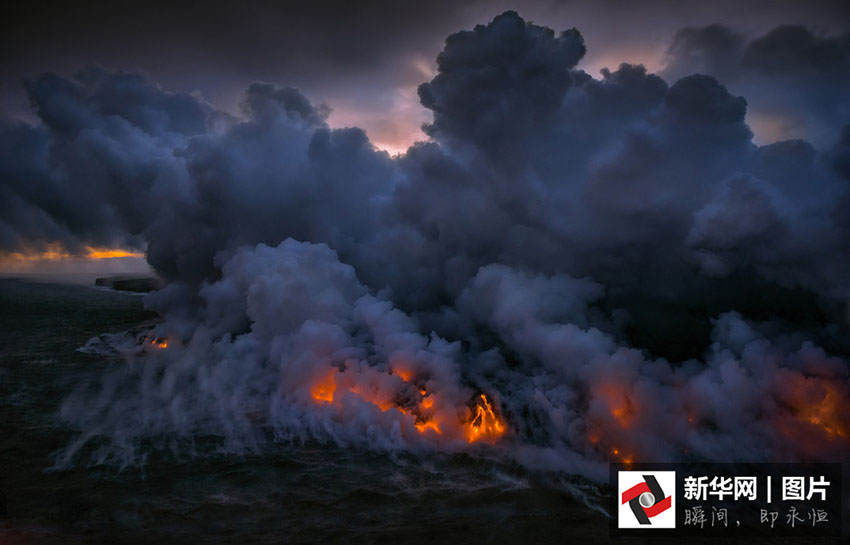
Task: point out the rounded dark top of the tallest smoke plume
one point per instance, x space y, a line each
500 81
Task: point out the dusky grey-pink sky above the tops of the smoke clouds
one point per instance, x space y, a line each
364 59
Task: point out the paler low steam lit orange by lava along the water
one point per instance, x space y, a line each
290 345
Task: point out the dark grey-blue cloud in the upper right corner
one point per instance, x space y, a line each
797 76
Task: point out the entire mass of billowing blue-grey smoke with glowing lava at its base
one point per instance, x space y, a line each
571 270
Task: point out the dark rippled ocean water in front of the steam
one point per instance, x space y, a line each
286 493
